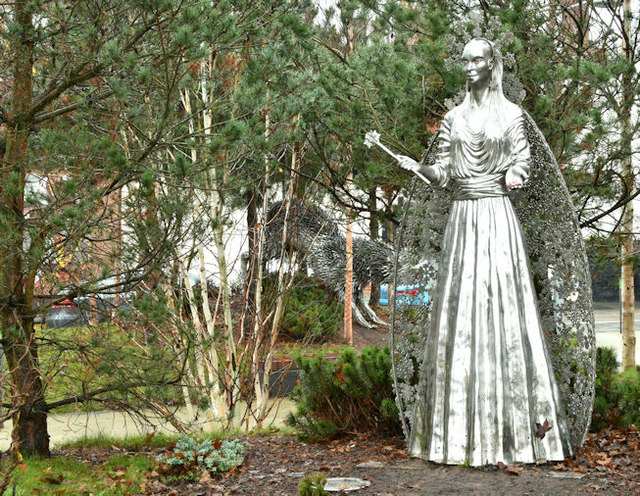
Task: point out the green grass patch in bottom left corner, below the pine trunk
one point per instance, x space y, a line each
118 475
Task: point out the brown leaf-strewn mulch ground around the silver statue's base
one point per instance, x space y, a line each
274 465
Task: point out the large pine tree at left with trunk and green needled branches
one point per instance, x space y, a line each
93 109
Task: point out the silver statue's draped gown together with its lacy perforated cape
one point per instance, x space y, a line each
511 318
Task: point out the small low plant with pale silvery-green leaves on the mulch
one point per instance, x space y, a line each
188 458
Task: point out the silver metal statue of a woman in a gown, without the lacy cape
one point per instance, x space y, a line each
487 392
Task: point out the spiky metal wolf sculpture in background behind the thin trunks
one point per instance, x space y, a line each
314 237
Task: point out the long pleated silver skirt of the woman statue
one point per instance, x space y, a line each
487 391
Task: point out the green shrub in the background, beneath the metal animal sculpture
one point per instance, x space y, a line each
309 310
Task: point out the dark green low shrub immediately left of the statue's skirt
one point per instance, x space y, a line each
352 394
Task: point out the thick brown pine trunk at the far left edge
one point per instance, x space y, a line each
29 434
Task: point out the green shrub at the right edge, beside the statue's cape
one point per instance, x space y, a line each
617 394
